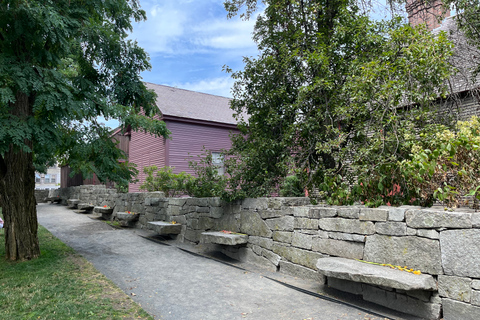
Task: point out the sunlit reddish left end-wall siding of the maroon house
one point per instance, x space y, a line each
145 150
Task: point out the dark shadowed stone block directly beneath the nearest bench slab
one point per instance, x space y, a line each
402 303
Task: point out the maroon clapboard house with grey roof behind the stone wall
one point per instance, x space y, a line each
197 121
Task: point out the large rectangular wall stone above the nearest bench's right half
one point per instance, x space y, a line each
417 253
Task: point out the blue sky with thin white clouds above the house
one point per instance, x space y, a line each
189 42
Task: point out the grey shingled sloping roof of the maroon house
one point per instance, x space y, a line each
188 104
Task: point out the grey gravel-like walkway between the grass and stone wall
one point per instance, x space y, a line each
170 283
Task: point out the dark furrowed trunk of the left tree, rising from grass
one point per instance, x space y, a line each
17 194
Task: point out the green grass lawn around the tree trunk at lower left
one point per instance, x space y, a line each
60 285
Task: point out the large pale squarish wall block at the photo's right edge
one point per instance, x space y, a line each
461 252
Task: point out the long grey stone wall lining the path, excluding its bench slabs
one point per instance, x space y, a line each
290 235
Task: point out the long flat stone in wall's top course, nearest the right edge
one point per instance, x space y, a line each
423 219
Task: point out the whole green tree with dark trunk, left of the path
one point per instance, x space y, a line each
63 63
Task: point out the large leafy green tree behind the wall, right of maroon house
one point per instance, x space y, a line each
331 94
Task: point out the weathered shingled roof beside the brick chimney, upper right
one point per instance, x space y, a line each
465 58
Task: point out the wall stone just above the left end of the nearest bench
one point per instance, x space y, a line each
339 248
